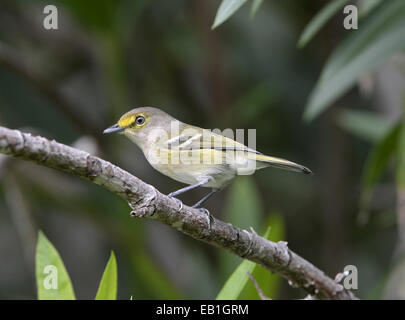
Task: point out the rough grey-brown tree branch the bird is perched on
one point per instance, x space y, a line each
146 201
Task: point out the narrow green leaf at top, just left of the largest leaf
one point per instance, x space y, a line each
319 21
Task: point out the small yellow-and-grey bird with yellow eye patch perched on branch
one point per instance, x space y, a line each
192 155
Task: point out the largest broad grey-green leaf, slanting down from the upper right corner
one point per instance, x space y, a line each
380 36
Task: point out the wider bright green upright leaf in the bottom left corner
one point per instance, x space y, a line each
53 282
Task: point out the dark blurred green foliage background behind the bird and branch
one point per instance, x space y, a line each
110 56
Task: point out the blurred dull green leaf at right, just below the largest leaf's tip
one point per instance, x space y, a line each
366 125
